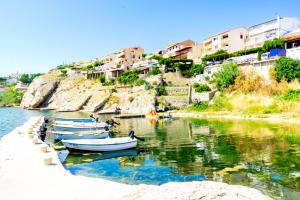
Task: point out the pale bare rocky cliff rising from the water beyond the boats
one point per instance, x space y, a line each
74 94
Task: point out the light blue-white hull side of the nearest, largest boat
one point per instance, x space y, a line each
96 147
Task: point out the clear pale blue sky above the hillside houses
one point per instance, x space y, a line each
36 35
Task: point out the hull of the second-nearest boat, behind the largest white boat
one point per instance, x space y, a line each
63 136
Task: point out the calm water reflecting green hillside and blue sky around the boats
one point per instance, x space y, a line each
261 155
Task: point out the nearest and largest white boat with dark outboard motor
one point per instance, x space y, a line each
108 144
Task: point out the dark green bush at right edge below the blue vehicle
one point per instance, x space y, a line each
287 68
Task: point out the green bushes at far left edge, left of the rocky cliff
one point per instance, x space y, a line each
10 97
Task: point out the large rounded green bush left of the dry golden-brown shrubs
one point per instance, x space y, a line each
226 76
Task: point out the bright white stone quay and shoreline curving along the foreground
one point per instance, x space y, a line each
24 176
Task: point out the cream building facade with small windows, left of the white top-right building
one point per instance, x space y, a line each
230 41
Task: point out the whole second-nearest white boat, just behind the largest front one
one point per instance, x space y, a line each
67 135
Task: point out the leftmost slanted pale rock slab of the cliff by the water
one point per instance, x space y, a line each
38 91
